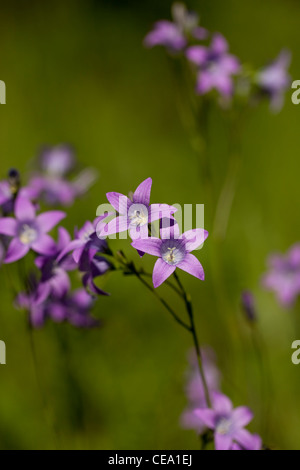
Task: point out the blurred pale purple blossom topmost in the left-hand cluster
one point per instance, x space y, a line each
52 183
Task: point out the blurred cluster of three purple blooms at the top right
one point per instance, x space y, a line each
215 68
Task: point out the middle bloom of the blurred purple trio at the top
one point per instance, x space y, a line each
215 66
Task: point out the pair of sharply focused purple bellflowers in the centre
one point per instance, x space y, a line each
172 249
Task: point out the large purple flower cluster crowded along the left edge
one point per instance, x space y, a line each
47 286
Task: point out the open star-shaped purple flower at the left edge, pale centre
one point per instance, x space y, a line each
29 231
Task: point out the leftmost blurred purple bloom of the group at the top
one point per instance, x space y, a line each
174 35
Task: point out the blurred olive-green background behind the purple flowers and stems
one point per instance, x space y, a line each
76 71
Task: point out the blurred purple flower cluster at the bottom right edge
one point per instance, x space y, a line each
226 422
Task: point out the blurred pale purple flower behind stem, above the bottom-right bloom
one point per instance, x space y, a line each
194 388
